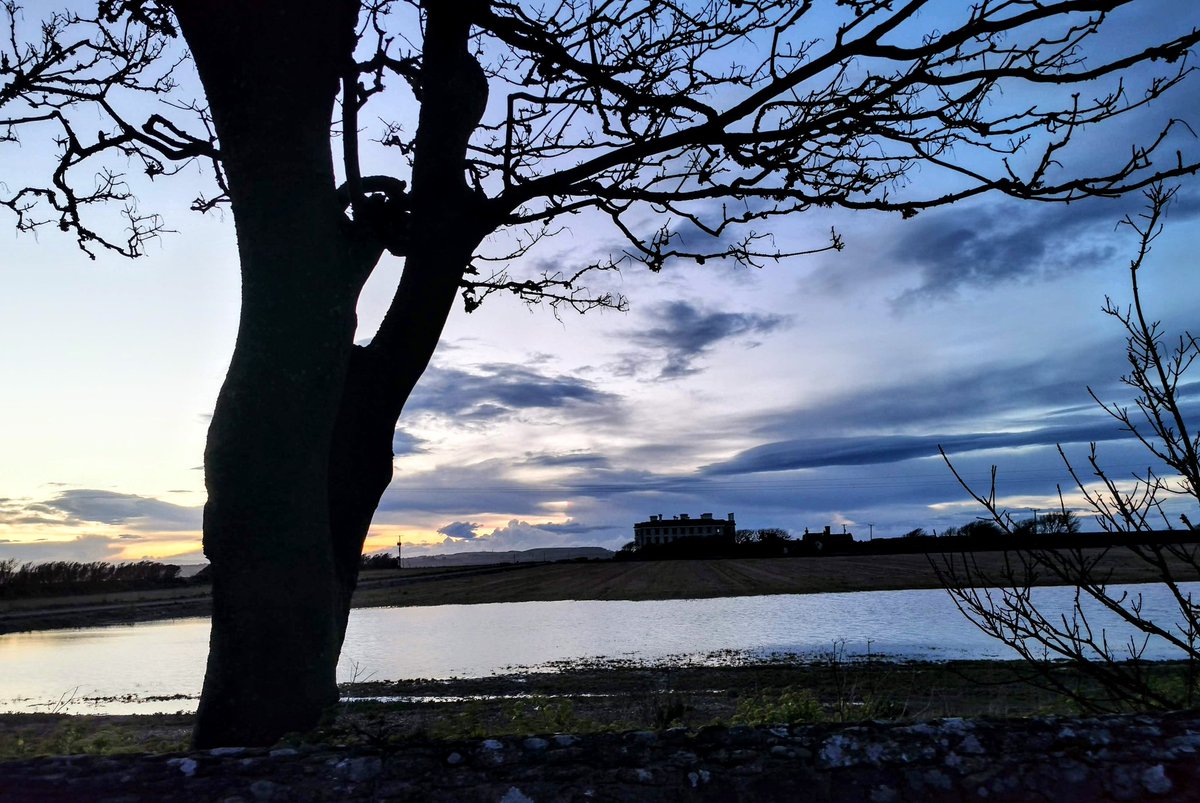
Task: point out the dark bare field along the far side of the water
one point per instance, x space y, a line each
596 580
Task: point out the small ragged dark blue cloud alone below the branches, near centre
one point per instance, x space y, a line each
680 333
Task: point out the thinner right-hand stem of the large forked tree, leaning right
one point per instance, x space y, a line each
448 223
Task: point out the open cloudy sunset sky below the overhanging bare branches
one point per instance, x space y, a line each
807 394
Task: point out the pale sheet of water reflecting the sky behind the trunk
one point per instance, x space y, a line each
159 667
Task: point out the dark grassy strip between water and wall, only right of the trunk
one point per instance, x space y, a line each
621 697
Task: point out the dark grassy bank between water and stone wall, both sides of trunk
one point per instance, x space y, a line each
607 697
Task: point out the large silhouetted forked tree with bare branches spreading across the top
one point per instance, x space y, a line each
686 127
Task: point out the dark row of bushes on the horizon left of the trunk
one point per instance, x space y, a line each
62 578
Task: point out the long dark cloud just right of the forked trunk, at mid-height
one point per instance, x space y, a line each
500 389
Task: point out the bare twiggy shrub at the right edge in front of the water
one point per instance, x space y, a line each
1135 511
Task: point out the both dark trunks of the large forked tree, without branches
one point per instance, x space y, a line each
299 450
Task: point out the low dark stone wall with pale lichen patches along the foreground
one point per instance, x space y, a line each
1061 760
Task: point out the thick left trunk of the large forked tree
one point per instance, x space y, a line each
271 76
